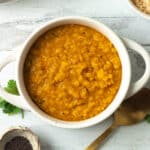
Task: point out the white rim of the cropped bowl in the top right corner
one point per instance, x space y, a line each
137 10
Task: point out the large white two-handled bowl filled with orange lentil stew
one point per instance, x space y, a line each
74 72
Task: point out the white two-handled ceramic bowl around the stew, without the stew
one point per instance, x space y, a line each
127 88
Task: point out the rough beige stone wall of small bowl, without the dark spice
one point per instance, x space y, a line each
19 131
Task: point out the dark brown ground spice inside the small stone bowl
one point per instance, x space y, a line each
18 143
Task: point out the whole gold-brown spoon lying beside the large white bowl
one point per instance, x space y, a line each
132 111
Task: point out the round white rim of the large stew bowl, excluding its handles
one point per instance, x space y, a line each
121 94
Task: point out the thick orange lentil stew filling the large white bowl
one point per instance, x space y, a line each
72 72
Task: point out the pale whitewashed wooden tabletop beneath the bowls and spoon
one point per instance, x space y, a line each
19 19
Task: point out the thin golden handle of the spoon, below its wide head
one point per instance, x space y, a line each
95 144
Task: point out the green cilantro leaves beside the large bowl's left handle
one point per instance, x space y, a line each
6 107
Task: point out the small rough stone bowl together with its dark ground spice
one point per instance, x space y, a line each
19 138
